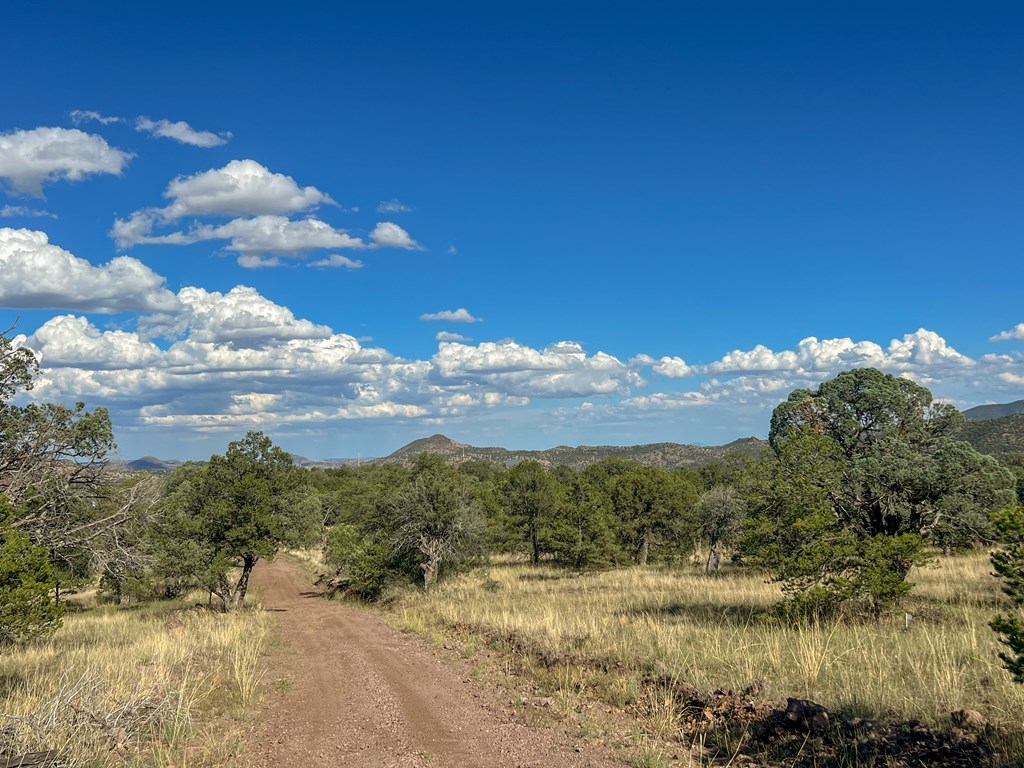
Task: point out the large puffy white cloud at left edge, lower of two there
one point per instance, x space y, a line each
36 275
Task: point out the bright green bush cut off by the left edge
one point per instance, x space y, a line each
26 581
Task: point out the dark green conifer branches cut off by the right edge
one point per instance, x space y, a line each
1009 564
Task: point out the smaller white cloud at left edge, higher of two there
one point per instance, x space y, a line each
30 159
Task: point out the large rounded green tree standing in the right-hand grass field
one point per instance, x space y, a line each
865 473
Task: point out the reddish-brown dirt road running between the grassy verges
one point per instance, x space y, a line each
363 695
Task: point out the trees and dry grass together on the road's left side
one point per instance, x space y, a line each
106 658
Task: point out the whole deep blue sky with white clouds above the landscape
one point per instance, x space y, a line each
664 217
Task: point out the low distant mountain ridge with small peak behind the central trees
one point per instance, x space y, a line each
665 455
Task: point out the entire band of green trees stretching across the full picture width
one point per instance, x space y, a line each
865 480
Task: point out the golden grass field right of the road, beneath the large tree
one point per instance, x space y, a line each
706 632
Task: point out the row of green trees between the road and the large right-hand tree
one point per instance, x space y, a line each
421 522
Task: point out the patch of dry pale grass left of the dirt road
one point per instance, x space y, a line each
152 686
